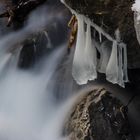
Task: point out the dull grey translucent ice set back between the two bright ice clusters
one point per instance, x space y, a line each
105 51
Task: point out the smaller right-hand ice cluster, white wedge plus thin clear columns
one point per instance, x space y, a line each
116 71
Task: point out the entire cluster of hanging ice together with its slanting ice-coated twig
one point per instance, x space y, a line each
113 61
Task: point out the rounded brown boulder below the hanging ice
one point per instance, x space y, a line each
98 116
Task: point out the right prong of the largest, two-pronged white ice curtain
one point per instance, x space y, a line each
90 55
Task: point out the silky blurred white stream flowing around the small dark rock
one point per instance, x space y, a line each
28 105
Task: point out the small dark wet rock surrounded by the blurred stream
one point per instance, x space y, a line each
34 48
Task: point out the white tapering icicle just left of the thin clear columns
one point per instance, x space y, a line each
112 67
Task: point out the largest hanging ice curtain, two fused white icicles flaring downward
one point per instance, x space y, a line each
84 63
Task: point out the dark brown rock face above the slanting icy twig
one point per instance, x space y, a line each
112 14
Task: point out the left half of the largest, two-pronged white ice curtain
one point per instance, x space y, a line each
79 63
